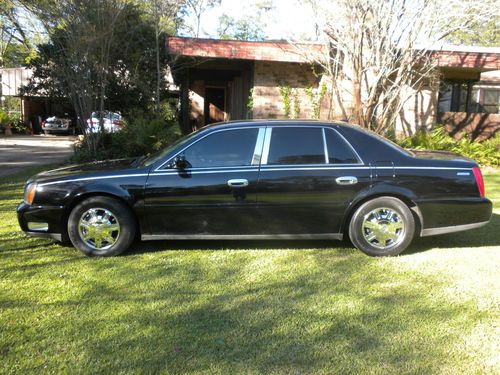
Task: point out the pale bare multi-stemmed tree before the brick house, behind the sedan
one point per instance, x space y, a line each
377 52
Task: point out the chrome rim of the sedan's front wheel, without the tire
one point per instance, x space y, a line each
99 228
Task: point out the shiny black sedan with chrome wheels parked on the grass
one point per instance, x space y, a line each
261 180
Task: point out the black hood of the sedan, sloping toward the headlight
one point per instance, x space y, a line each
86 170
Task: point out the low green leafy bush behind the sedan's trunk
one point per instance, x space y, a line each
486 153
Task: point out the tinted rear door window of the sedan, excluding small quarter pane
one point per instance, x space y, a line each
296 146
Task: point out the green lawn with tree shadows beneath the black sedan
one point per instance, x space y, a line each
250 307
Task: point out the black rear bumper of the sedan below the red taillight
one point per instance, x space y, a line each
454 215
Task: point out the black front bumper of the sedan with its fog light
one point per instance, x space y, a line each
41 221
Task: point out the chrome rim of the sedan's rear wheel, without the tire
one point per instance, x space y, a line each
383 228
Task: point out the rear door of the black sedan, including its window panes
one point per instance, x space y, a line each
309 175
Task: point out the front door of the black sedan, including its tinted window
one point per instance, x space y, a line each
216 194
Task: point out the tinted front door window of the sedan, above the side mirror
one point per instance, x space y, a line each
223 149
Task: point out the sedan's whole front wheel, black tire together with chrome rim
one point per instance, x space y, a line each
93 211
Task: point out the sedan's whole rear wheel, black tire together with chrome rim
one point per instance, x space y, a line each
377 232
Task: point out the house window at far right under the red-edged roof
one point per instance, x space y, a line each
467 97
